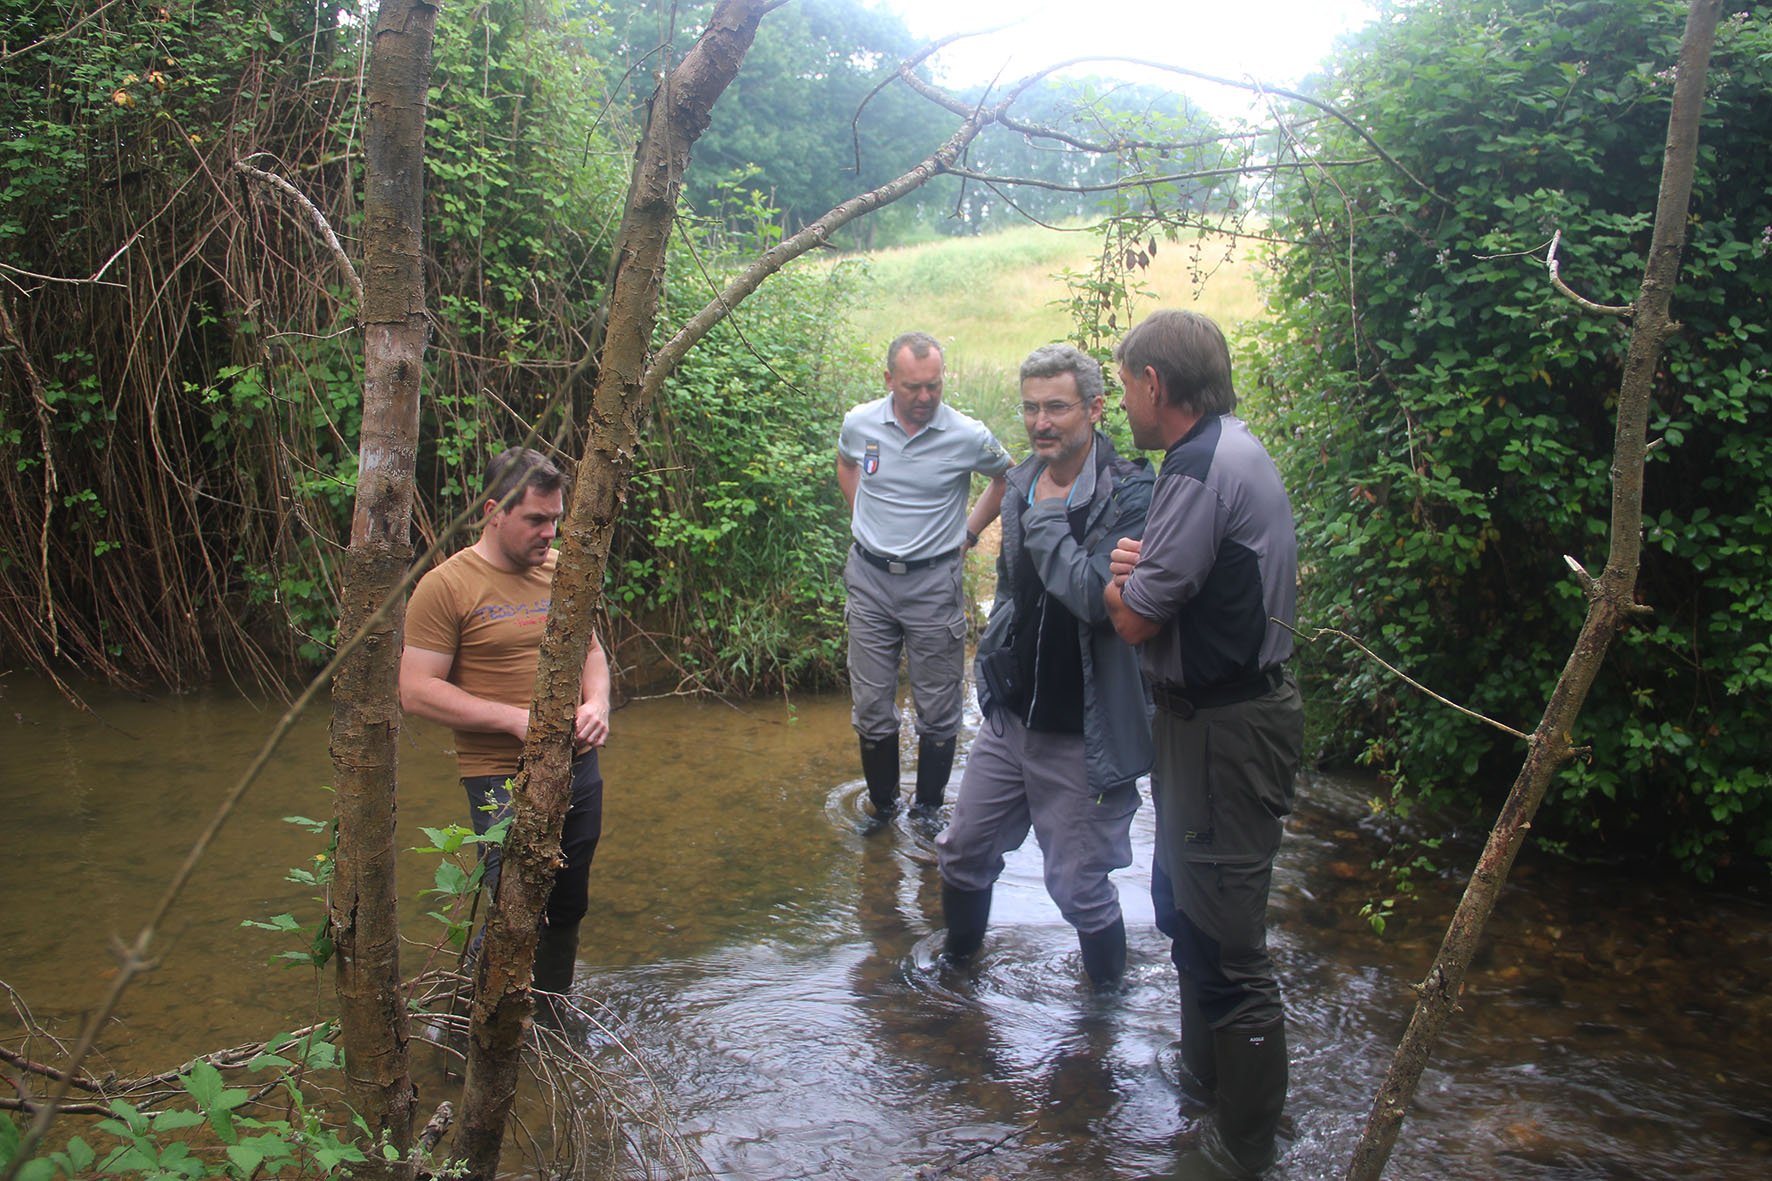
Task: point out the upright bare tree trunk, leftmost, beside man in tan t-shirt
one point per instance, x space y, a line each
366 723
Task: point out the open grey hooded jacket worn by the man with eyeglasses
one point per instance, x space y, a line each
1115 705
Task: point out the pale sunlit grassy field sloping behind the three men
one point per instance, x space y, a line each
993 299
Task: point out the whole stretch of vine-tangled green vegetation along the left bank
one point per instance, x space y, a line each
180 428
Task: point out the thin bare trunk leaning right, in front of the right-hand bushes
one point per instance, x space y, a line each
1610 606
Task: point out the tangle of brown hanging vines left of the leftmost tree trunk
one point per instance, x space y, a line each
141 444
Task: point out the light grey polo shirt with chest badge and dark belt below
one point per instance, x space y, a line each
913 490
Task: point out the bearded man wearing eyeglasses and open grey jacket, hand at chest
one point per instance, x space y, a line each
1068 726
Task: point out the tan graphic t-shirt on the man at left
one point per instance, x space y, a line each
492 622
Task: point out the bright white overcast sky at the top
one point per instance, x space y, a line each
1278 42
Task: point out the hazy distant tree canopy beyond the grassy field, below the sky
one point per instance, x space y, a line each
816 118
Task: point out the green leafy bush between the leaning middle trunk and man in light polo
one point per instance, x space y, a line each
734 533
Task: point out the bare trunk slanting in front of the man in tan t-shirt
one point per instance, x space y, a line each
680 114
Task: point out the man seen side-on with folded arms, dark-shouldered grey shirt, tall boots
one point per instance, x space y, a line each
1201 597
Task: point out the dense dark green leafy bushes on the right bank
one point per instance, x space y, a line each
1445 416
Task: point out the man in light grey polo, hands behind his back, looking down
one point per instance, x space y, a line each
906 465
